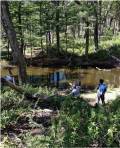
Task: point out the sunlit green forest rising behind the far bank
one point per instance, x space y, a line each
44 24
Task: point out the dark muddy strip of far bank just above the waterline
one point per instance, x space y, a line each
72 61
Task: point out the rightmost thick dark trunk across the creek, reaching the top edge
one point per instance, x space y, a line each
96 26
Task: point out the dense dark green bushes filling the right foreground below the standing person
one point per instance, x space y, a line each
84 126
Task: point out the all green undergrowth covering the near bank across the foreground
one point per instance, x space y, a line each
76 124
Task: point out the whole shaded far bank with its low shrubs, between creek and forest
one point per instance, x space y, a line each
102 59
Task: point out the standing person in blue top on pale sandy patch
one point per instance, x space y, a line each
101 90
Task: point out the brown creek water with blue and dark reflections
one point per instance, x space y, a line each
89 78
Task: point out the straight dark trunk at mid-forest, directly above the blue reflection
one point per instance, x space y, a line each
57 26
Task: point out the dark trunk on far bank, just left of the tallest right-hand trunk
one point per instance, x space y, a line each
87 39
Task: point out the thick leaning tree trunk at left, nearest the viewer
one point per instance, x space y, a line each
18 57
